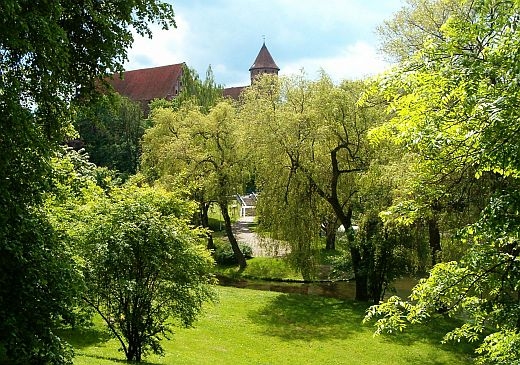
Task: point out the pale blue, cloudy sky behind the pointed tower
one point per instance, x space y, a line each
337 36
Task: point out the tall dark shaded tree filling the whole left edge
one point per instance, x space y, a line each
50 53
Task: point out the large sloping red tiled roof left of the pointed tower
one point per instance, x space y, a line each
149 83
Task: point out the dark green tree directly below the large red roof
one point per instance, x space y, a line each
110 130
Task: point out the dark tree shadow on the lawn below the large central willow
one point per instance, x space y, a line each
302 317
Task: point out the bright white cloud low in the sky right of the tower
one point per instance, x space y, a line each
353 62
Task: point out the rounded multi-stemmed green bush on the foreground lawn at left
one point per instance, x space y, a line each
144 266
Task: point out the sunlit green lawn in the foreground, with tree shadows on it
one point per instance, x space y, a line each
261 327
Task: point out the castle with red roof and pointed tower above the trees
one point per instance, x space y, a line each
164 82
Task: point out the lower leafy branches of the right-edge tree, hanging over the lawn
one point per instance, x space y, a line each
483 287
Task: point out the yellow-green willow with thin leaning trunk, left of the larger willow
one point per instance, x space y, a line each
200 149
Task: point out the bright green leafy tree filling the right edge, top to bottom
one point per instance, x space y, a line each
455 107
